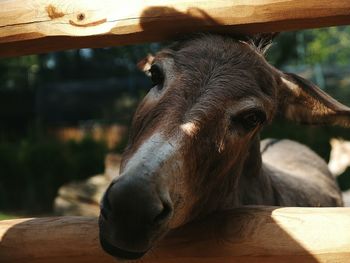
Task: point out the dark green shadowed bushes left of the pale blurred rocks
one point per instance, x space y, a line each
34 170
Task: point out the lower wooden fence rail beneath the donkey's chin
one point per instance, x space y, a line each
251 234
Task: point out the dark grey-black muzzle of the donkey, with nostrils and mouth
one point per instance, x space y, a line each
134 214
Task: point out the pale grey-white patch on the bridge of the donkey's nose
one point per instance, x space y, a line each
152 154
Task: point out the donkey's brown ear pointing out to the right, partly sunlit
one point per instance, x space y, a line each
304 102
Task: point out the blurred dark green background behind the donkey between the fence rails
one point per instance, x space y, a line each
64 117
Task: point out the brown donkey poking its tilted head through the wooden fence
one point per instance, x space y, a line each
194 147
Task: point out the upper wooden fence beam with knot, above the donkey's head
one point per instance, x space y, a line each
38 26
